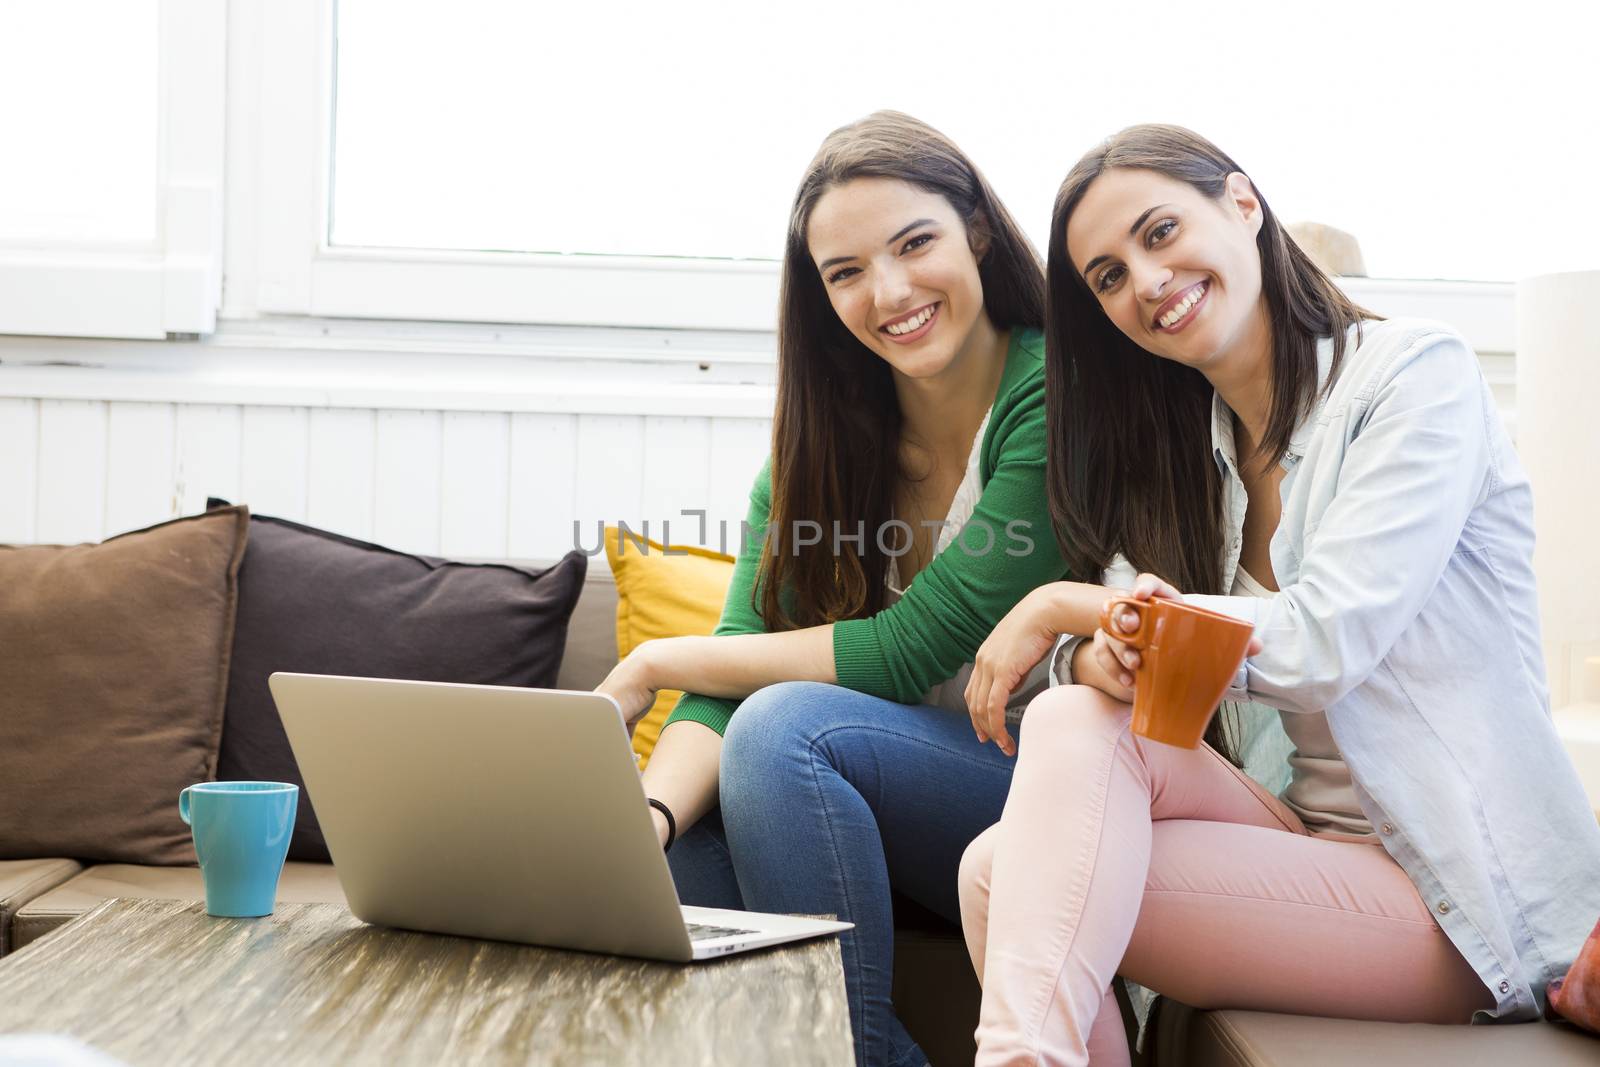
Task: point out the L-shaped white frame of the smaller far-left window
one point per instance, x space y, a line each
174 286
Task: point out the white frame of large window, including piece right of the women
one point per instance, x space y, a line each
294 271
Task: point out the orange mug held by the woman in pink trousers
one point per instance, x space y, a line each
1188 658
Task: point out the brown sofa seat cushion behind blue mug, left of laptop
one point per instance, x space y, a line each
300 884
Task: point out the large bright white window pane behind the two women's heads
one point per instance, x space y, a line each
1455 140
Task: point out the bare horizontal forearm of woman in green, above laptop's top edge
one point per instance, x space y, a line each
738 665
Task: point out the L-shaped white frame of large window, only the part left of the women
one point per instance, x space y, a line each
302 274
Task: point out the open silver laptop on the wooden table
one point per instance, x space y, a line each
490 812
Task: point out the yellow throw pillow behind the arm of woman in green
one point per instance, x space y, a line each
663 596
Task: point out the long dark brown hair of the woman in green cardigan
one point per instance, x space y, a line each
836 433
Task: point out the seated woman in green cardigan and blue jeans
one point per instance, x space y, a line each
905 514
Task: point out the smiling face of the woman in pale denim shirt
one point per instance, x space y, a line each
1174 270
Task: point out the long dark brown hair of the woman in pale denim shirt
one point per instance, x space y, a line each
1130 465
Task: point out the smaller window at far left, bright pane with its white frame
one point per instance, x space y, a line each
111 196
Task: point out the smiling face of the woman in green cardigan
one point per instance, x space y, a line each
902 274
